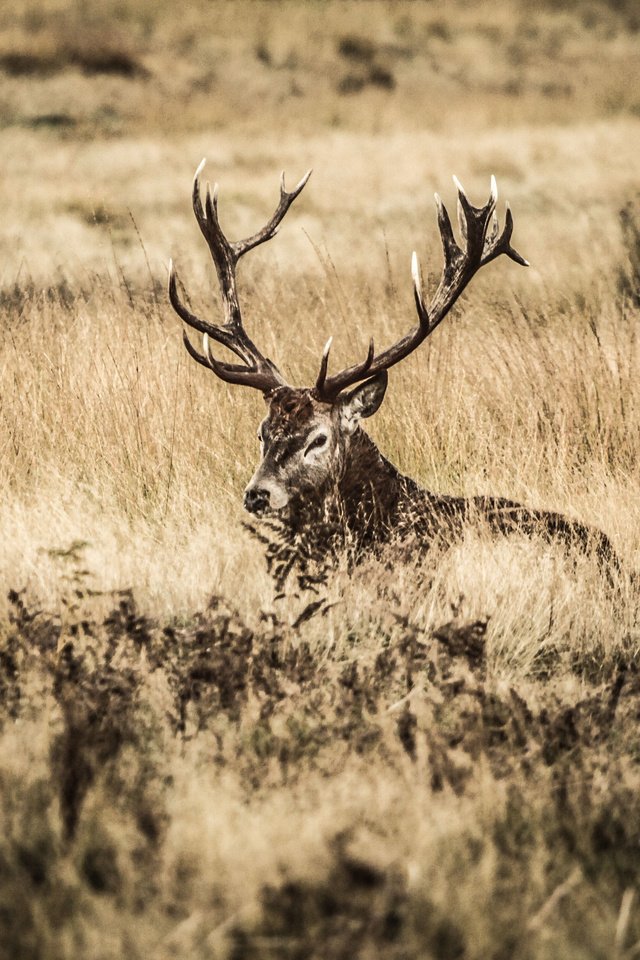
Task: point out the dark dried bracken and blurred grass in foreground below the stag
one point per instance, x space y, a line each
230 790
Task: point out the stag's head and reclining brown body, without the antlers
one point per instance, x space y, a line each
354 497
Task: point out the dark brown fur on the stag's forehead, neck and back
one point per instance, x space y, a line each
366 503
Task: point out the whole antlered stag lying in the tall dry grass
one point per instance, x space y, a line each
320 475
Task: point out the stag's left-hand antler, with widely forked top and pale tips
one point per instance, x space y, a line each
256 370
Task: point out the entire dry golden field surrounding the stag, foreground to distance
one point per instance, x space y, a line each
438 763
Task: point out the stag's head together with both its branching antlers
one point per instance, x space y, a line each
308 432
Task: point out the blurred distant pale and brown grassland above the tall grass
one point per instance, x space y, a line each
107 107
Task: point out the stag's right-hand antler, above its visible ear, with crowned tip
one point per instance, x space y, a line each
481 243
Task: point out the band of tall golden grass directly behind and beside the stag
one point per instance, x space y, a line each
111 428
